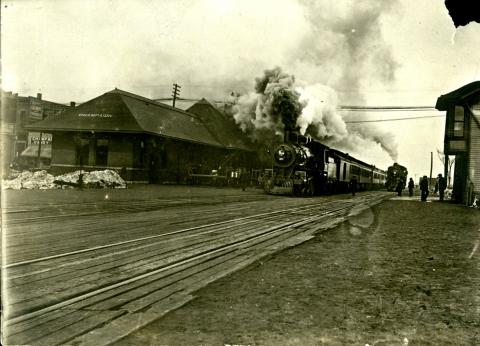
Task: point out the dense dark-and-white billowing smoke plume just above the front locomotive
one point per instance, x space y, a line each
279 104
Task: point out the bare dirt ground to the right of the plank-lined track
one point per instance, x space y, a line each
402 273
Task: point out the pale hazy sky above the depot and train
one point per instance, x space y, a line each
347 52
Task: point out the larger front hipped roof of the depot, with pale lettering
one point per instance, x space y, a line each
121 111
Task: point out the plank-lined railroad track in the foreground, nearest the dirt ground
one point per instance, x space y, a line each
98 295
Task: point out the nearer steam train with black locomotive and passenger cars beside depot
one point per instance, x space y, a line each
305 167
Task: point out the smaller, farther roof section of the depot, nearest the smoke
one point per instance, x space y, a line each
221 127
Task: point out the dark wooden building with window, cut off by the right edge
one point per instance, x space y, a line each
462 139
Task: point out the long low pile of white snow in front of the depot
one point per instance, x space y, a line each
44 180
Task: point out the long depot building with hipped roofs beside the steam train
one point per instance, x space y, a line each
145 141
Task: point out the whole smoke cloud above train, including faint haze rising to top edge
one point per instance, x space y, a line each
341 54
